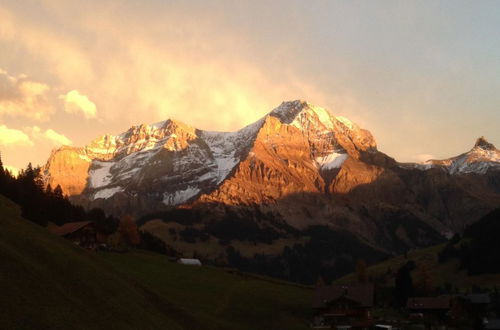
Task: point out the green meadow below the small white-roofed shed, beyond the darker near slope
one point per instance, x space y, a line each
231 301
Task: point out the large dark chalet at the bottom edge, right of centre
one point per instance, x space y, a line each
343 306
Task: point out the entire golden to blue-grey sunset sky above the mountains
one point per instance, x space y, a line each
422 76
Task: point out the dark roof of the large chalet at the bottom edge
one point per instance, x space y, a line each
360 293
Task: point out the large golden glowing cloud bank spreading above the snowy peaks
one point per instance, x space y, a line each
138 75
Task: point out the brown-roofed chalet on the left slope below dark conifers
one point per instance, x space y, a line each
83 233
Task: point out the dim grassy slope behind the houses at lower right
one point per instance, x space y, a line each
440 273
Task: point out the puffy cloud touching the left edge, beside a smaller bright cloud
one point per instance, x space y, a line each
20 96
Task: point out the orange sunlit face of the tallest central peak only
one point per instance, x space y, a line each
295 150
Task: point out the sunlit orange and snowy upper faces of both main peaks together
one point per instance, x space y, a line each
293 149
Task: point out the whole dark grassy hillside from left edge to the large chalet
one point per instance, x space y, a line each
47 283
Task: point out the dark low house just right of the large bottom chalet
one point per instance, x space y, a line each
432 309
